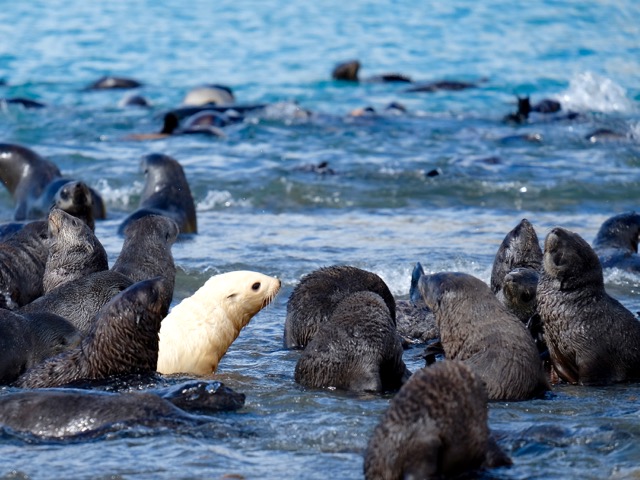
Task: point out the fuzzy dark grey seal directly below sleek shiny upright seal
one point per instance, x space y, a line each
146 251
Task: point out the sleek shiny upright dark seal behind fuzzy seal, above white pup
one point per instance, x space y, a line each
166 192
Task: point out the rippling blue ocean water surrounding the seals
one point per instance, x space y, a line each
260 207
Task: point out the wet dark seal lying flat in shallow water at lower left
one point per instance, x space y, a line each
70 412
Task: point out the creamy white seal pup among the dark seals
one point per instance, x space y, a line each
199 330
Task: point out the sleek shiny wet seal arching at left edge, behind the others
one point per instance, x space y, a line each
34 181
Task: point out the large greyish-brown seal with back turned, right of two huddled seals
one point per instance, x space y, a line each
477 329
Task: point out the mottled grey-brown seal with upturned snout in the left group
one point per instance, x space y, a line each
74 251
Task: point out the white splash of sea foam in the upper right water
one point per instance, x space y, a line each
591 92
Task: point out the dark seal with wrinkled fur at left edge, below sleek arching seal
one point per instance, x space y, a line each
23 256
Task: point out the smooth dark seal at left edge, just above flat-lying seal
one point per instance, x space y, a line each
27 340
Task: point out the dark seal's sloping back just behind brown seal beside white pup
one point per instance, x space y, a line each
79 301
